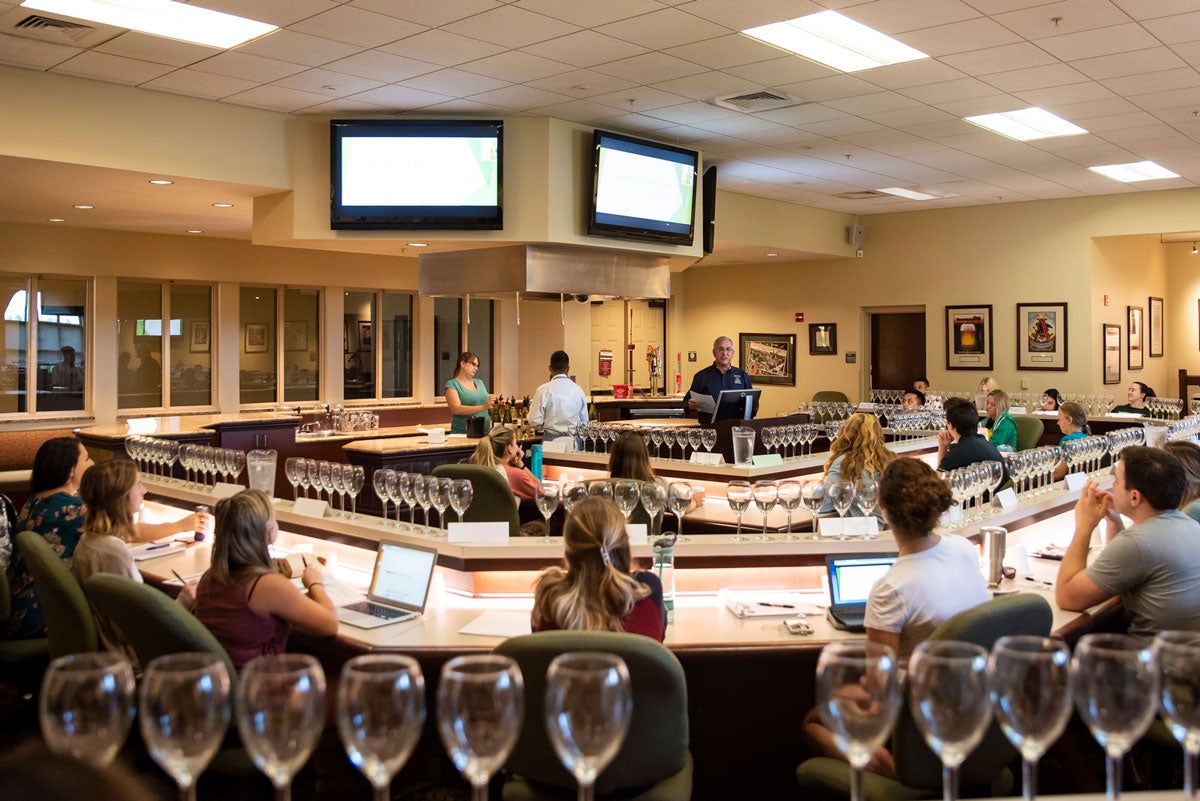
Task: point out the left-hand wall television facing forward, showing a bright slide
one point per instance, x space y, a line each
417 174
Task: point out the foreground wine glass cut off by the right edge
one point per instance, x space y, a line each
1179 654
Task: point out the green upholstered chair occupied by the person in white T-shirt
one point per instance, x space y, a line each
986 772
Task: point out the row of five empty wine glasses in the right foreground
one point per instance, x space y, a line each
1118 684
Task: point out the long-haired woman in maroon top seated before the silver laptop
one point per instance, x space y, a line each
248 606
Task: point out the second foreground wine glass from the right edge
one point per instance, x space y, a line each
1117 694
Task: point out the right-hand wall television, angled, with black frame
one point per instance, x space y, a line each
643 190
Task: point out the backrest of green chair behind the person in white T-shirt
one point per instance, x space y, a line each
1025 613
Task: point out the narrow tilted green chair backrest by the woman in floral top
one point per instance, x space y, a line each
70 624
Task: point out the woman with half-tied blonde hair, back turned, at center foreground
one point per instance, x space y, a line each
598 592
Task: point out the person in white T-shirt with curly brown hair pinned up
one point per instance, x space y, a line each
935 577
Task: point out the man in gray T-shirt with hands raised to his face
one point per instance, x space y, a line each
1155 565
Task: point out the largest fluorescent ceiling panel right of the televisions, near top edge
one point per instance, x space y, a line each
837 41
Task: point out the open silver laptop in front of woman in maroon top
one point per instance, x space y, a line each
400 587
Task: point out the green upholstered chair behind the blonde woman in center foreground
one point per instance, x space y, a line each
653 764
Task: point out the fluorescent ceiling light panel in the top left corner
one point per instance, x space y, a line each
164 19
